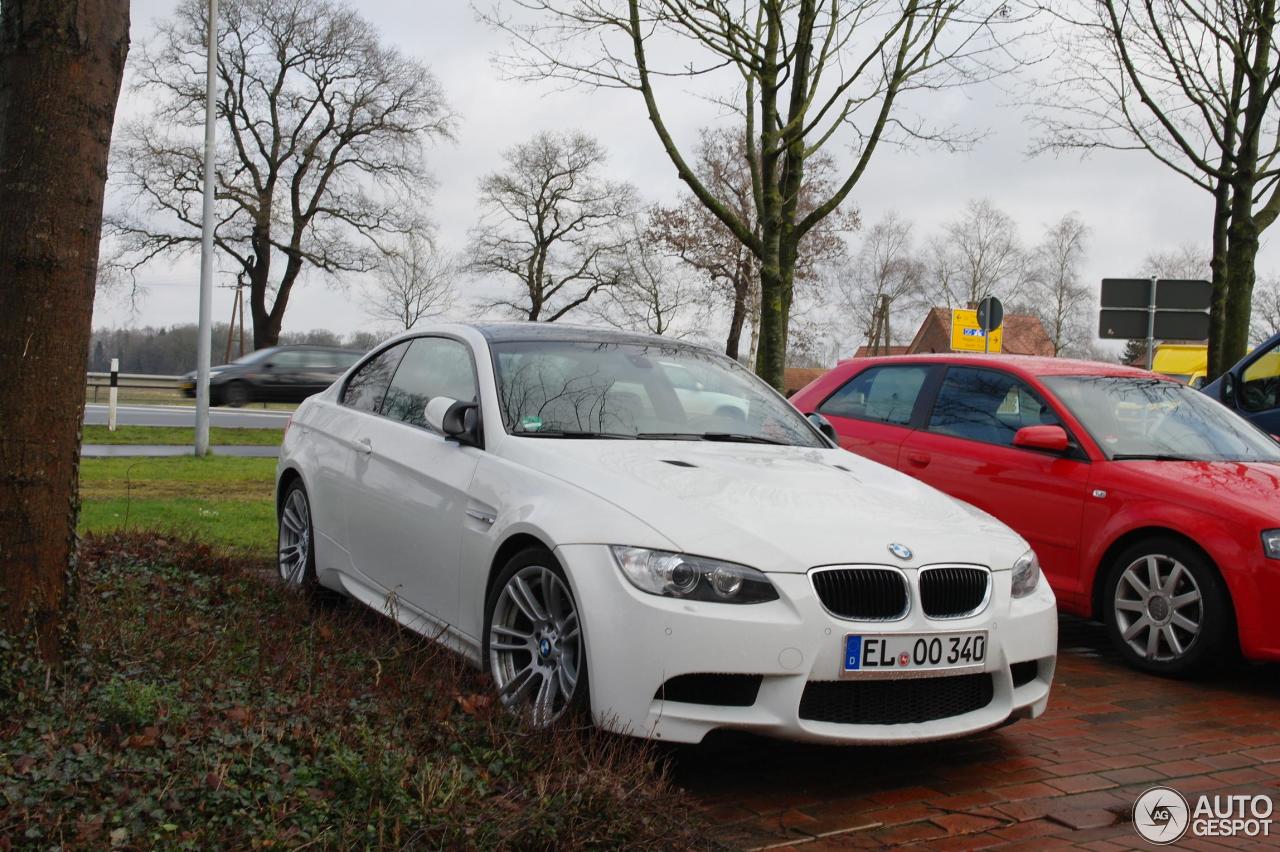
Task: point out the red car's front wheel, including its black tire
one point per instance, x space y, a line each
1186 626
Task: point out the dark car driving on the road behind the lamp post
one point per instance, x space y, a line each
275 374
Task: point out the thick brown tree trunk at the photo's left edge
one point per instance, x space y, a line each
61 70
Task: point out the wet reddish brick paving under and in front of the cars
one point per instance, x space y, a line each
1068 780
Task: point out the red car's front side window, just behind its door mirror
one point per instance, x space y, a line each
988 406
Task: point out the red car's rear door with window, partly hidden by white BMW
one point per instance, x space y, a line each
874 411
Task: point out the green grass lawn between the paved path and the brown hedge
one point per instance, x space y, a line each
222 501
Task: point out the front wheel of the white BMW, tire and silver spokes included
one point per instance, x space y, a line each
534 644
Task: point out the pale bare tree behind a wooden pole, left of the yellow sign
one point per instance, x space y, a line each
885 274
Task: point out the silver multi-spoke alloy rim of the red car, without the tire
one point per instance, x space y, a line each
1159 608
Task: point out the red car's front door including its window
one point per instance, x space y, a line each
967 450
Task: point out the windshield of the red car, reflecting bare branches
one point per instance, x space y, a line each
1137 418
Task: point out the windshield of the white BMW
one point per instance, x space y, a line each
592 390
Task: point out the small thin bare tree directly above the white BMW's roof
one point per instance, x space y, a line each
653 295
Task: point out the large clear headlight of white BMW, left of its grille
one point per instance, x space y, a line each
676 575
